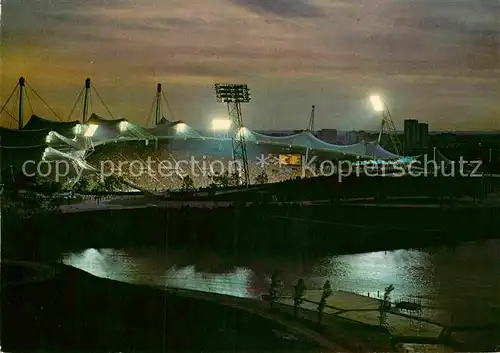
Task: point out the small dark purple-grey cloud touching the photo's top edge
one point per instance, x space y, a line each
281 8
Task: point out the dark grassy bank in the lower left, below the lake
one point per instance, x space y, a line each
75 311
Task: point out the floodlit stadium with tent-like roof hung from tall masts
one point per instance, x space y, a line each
124 148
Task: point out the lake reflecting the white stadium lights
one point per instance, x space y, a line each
453 280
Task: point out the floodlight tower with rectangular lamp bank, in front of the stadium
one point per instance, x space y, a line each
234 95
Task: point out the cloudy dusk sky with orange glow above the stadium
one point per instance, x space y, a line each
433 60
